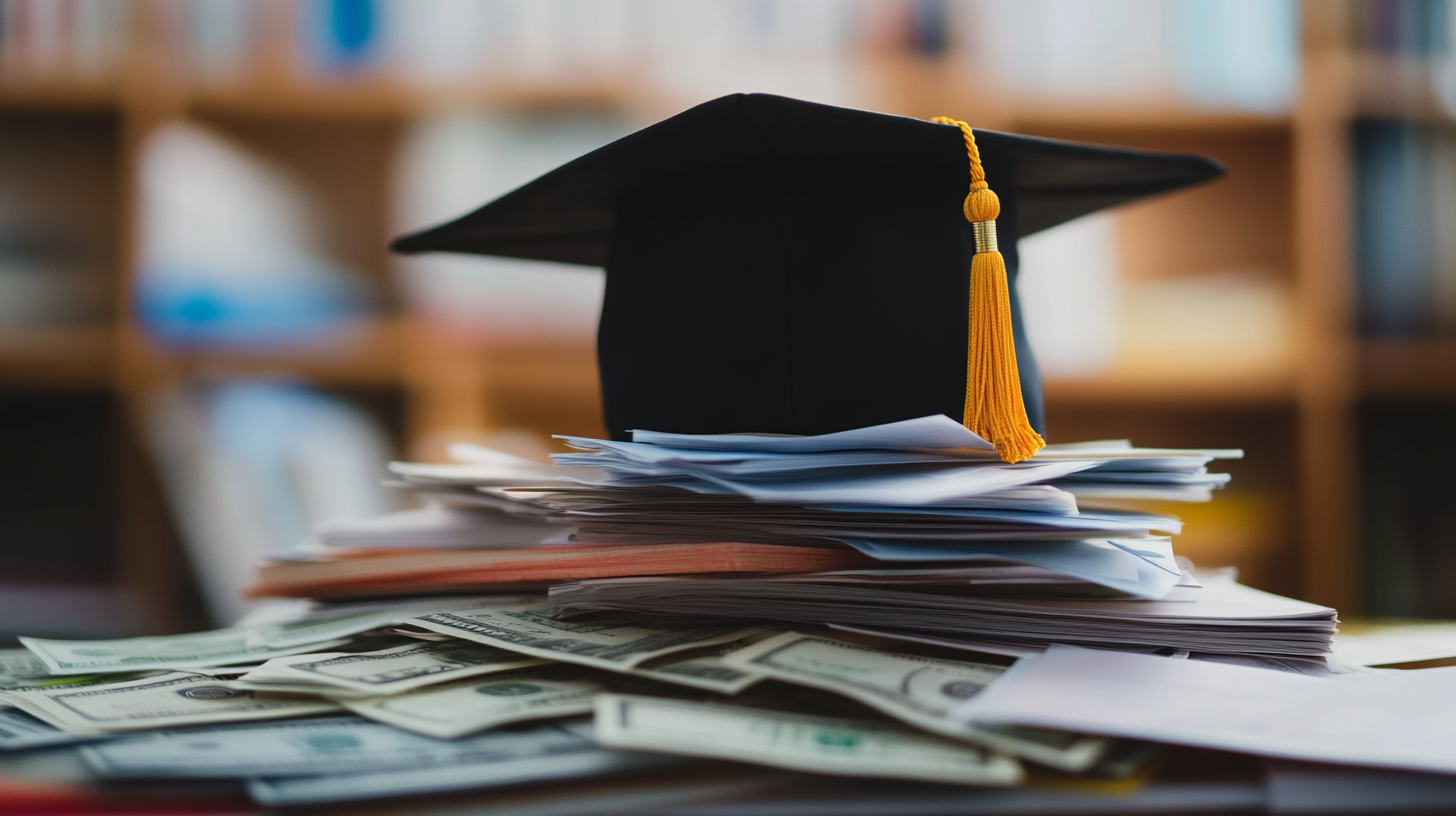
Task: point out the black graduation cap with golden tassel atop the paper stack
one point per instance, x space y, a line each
778 266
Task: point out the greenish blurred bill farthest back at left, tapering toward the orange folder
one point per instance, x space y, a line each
218 648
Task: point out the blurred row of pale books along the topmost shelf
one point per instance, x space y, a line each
1240 55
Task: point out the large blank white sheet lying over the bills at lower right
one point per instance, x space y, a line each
1394 721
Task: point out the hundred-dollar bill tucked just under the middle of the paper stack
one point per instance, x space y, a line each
526 629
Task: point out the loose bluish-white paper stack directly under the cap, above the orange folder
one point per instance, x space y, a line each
906 495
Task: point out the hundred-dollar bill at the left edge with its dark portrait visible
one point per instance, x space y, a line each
157 703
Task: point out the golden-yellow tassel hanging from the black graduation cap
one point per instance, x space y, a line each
994 404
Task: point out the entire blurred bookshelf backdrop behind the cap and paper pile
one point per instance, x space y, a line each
206 349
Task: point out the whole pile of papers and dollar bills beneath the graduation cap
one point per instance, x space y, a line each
737 611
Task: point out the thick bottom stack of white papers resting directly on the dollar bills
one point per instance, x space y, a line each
1218 619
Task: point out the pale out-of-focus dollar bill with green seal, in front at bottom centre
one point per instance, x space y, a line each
803 742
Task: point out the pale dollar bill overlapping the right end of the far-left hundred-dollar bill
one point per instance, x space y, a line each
387 671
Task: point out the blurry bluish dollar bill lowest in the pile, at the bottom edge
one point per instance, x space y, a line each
509 757
